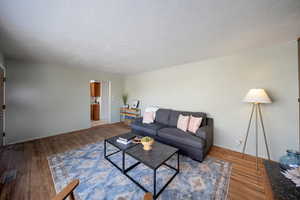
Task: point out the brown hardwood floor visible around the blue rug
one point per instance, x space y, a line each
34 179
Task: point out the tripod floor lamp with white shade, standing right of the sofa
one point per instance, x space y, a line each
257 97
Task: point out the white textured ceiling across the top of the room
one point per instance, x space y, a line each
131 36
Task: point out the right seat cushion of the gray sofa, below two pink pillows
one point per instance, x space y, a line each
174 135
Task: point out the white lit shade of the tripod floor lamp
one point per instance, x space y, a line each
257 96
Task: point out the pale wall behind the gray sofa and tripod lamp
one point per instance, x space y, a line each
217 87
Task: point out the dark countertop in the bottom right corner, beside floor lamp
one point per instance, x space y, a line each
283 188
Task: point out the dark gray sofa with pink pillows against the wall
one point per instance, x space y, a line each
164 130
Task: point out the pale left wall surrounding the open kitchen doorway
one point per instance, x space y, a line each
44 100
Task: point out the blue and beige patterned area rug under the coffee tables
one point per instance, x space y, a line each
99 179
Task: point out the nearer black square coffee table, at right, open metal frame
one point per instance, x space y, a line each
156 157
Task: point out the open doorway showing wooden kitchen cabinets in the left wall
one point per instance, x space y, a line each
100 99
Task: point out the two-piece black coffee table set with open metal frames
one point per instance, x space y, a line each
156 157
